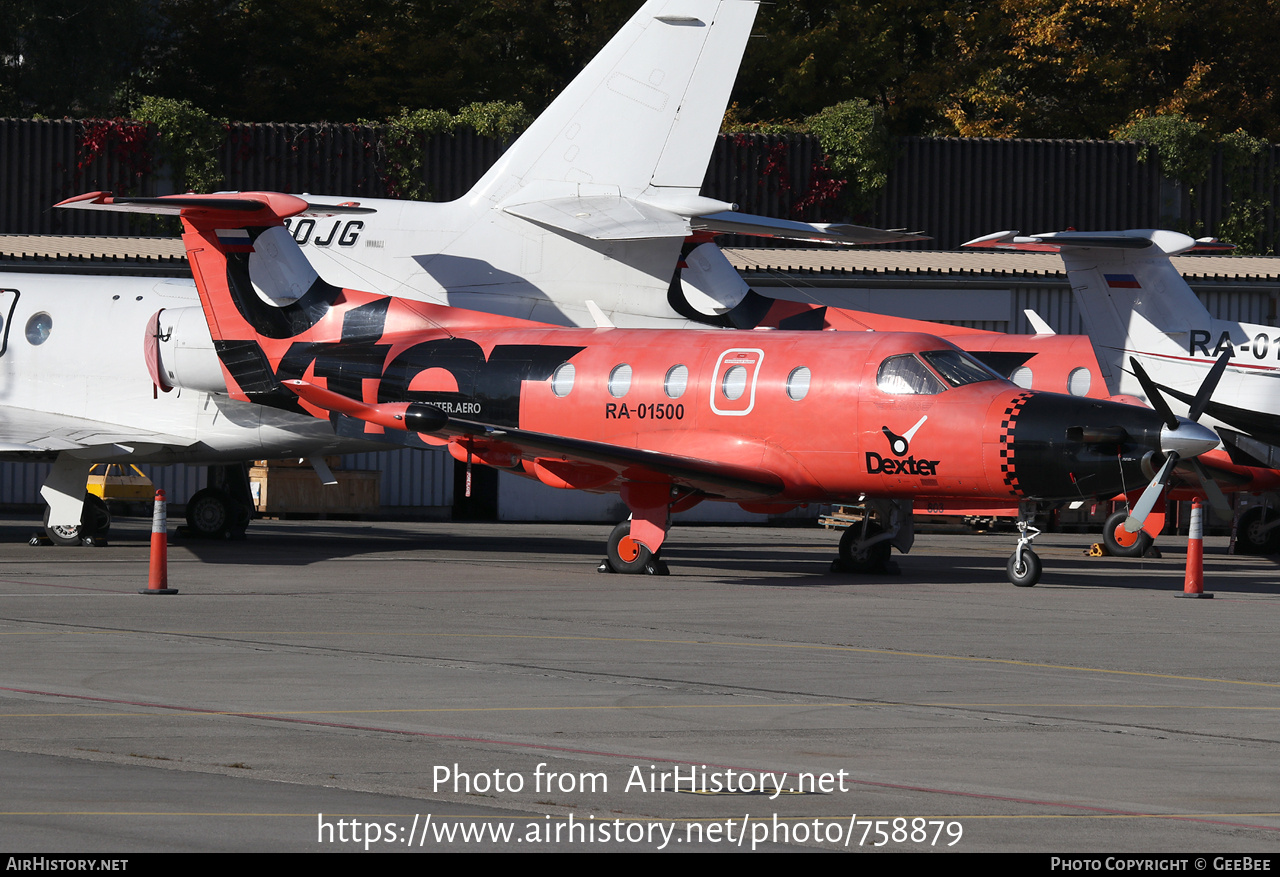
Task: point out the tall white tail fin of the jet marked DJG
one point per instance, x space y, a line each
643 116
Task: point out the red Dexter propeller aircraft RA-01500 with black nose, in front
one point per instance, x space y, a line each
665 418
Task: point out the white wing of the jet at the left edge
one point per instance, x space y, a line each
31 433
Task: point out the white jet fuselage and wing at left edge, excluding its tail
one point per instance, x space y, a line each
86 389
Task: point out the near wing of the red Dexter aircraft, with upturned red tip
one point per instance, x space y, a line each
628 463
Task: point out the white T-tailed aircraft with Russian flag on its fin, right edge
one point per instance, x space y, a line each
1145 319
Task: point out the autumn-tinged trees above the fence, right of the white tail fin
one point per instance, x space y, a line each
1020 68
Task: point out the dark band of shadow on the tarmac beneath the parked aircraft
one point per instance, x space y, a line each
732 561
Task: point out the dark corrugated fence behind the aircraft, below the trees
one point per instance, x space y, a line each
952 189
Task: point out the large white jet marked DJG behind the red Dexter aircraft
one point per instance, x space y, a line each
584 214
